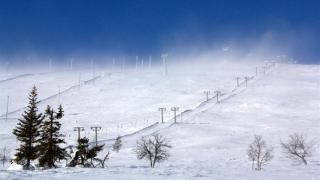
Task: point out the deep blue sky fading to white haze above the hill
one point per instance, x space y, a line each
62 28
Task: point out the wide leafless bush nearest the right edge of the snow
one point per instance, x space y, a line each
297 148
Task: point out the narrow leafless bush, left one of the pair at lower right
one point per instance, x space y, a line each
259 153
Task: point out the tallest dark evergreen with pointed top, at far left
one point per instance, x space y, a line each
28 132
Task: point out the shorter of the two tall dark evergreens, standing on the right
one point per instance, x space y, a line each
50 152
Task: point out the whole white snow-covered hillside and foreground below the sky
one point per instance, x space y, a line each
210 140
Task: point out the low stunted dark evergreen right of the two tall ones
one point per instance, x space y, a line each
85 153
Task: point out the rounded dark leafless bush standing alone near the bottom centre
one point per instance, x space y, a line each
153 148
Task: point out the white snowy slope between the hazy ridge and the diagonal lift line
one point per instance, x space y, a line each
121 102
